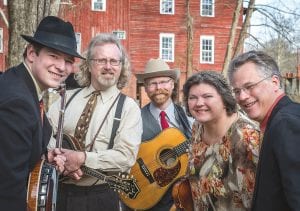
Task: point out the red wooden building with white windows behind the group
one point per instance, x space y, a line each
155 28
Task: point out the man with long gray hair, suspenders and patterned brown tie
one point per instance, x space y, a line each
90 116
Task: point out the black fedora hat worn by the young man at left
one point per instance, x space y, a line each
57 34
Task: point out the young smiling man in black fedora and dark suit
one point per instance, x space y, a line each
24 128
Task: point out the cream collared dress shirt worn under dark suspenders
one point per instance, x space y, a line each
127 140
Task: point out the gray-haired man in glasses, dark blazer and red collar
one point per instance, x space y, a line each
256 83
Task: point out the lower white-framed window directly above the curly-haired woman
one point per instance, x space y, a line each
207 55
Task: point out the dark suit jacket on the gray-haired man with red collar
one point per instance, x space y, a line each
278 174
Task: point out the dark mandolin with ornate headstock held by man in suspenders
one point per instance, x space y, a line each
122 183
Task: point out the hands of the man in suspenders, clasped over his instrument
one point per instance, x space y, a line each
74 160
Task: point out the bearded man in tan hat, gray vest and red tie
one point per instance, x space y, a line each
159 81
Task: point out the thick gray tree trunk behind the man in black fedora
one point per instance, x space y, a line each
24 17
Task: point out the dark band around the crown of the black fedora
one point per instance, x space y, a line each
55 39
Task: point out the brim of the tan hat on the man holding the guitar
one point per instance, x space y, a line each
173 73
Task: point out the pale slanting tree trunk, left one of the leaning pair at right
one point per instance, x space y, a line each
230 45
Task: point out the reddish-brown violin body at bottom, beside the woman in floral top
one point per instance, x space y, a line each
182 195
